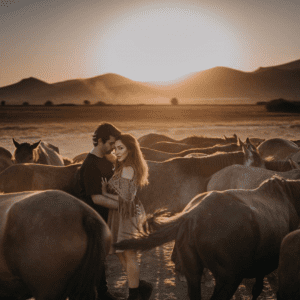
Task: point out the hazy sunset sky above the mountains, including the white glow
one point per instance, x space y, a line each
144 40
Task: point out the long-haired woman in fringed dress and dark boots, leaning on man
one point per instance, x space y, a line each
131 172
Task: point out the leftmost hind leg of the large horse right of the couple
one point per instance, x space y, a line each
192 268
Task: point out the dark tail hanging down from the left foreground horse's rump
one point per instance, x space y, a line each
82 284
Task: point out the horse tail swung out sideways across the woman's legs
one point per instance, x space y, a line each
166 232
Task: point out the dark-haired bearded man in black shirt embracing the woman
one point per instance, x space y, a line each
95 167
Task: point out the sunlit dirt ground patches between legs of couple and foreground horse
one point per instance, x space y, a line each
157 268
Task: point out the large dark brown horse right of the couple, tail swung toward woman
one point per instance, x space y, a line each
236 234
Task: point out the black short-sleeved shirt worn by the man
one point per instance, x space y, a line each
90 175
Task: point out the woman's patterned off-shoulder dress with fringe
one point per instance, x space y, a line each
126 221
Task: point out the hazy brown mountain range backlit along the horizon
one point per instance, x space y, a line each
219 83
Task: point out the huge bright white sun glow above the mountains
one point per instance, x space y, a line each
162 44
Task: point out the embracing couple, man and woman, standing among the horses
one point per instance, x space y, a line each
109 184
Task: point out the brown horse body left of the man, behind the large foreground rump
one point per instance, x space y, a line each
31 177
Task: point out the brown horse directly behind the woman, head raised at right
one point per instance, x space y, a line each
173 183
